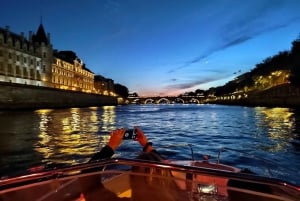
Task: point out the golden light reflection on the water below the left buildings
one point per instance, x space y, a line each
71 136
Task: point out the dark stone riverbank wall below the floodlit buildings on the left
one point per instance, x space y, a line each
17 96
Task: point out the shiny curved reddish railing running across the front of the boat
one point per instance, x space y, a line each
102 165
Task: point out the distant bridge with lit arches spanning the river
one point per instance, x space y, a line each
166 100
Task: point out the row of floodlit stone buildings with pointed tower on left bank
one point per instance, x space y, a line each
33 61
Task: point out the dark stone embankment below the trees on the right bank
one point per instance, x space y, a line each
279 96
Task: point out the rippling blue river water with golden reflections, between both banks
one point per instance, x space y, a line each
264 140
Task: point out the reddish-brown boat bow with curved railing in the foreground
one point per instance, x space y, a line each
133 179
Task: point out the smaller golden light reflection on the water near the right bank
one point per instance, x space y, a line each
279 124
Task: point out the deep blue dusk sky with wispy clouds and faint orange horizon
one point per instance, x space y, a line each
162 47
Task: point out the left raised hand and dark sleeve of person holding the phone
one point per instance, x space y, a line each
108 151
